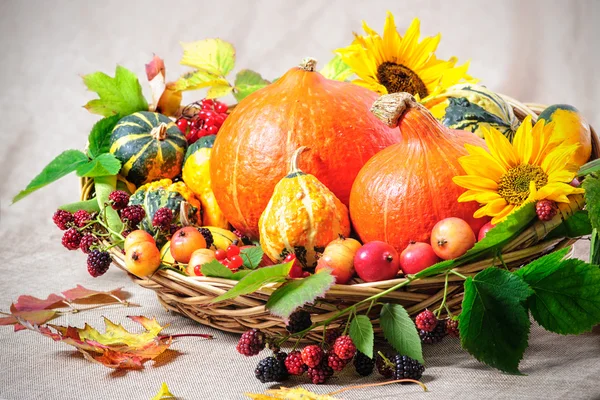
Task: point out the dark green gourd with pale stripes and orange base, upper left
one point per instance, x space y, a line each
150 147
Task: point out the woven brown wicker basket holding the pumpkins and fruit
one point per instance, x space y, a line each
190 296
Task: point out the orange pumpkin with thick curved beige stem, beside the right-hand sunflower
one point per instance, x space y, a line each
404 190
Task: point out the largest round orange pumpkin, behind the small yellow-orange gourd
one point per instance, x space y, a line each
302 108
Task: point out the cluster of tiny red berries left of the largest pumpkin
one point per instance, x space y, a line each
206 121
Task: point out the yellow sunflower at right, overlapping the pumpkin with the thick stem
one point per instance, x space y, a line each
510 175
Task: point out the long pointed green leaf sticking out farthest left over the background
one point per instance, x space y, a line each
65 163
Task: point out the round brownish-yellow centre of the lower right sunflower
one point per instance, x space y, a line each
514 185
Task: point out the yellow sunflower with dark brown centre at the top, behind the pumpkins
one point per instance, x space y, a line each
392 63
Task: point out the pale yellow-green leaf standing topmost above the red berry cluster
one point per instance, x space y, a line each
215 56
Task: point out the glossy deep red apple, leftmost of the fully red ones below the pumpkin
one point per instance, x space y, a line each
376 261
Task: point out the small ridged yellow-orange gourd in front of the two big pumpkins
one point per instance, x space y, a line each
302 217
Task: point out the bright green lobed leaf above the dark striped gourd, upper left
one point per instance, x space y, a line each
121 95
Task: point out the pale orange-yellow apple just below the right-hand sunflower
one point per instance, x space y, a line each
451 238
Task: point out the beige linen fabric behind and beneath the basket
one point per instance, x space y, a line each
542 51
